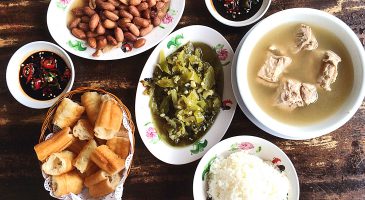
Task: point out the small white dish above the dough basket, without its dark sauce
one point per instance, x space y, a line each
12 73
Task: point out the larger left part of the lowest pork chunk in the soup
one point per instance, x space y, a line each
289 96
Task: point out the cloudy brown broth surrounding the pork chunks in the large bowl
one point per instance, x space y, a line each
305 67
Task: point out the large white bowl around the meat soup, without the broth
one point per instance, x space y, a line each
318 18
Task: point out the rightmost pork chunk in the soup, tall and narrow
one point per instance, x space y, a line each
329 71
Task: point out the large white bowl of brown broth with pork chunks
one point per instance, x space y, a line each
300 74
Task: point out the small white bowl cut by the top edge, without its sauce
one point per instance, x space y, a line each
265 5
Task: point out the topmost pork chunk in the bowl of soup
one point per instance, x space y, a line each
305 39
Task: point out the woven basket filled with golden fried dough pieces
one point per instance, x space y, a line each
86 146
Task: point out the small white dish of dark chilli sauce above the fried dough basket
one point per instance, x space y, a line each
38 73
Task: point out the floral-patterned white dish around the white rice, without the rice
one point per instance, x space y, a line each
253 145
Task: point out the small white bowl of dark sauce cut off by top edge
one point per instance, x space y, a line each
237 13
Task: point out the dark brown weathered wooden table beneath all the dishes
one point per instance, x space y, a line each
329 167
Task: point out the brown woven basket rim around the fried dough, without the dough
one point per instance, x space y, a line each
75 95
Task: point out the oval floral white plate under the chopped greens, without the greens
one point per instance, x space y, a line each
147 130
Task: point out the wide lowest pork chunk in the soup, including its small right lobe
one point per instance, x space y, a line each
293 94
